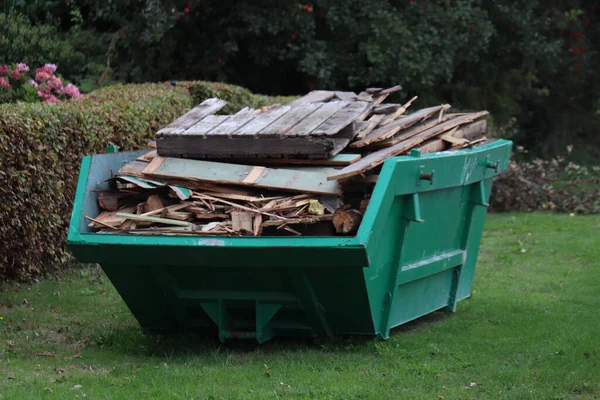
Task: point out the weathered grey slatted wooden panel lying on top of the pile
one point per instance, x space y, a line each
316 126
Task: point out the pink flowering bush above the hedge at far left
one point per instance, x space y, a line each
17 85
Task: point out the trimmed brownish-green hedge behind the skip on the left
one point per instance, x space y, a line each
41 146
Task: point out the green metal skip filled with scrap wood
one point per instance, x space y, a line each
415 253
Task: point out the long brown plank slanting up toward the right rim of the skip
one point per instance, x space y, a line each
376 158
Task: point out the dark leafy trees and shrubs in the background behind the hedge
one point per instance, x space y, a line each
531 63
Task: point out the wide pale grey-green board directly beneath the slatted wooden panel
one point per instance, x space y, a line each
236 174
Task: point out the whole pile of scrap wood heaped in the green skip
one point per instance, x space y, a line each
306 168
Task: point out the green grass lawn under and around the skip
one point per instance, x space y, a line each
530 331
